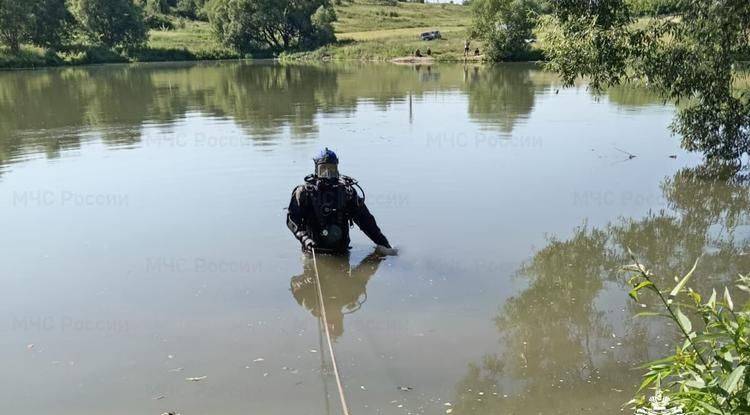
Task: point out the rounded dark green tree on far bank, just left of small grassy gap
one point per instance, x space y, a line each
113 23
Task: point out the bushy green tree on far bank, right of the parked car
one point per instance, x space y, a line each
505 26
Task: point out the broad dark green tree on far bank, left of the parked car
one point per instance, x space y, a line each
246 25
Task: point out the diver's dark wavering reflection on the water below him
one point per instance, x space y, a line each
344 287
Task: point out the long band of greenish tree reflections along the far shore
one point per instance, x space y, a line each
48 111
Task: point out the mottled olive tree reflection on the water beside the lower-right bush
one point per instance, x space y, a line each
558 353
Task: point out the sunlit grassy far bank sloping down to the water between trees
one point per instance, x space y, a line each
366 30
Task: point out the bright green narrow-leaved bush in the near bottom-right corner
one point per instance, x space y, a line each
708 374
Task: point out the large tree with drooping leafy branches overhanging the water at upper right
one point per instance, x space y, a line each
689 57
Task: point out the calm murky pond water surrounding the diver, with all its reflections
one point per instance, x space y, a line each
142 209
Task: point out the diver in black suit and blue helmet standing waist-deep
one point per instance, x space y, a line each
324 208
